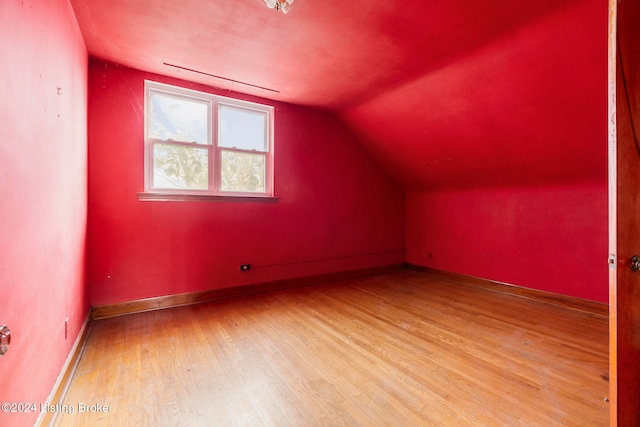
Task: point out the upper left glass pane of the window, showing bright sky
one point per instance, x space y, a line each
179 119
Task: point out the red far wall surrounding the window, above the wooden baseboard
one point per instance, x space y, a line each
337 209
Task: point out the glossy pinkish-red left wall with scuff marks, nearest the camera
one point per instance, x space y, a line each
43 193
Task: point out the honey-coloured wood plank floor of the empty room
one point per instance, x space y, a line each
401 349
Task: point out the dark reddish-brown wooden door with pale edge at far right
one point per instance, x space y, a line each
624 211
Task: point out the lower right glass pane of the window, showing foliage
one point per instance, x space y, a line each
243 172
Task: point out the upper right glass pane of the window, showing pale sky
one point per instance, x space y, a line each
242 129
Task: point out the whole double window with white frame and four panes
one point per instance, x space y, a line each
198 144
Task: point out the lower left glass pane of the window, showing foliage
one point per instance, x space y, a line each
180 167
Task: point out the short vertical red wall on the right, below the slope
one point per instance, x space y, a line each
552 238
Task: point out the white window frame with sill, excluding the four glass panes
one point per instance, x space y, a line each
214 150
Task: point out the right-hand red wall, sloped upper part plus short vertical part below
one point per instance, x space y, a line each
503 153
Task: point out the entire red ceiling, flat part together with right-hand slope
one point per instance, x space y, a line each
453 93
